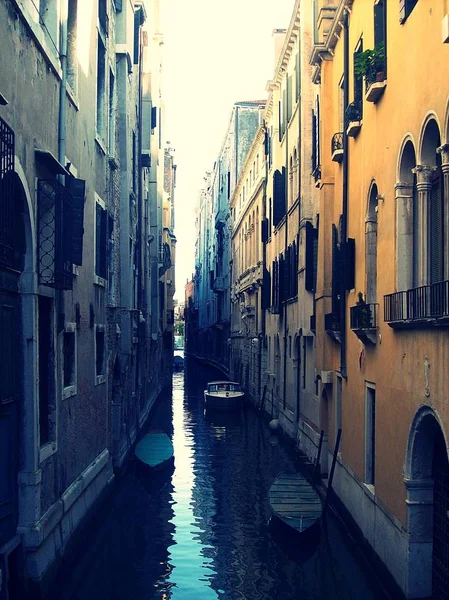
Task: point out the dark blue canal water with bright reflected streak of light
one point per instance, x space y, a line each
202 531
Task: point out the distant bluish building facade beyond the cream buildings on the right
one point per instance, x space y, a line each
213 268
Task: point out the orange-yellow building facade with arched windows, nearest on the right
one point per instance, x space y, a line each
382 299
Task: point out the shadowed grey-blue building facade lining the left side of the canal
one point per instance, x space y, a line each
80 132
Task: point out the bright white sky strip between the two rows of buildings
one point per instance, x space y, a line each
216 52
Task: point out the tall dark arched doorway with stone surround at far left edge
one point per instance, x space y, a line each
18 348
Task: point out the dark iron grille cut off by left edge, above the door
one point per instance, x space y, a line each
6 195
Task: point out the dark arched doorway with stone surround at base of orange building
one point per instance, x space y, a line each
426 478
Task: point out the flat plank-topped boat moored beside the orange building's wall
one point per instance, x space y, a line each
294 502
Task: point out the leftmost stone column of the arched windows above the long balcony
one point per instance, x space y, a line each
404 235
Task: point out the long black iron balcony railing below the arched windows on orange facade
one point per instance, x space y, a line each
425 304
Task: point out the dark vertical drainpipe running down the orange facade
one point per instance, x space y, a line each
345 195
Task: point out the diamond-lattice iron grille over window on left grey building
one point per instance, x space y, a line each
55 219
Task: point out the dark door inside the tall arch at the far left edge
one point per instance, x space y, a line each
8 406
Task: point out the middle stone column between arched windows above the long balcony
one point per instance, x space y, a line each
424 185
